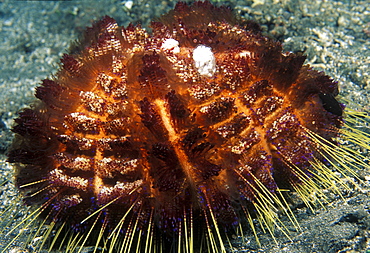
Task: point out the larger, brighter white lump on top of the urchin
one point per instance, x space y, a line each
204 60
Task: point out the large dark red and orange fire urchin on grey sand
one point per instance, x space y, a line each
199 121
